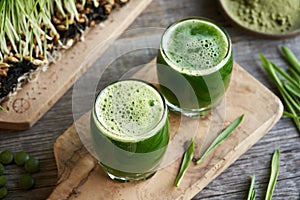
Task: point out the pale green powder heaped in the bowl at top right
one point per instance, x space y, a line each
268 16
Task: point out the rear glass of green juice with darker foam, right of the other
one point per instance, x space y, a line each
194 65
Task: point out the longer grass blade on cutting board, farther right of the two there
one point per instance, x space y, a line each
225 133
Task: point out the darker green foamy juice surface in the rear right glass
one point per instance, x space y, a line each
195 47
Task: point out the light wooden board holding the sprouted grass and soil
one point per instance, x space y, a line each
38 96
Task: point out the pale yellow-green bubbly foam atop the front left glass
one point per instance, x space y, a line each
129 110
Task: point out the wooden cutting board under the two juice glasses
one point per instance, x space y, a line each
80 177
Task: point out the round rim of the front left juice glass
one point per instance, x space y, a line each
145 135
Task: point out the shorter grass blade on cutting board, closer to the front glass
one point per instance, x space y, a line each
187 158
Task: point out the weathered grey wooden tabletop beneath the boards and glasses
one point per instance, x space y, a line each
234 182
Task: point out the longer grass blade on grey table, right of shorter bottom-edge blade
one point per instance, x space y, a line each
274 174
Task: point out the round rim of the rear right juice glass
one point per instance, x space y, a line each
205 71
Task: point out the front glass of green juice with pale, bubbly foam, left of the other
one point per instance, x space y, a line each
130 129
